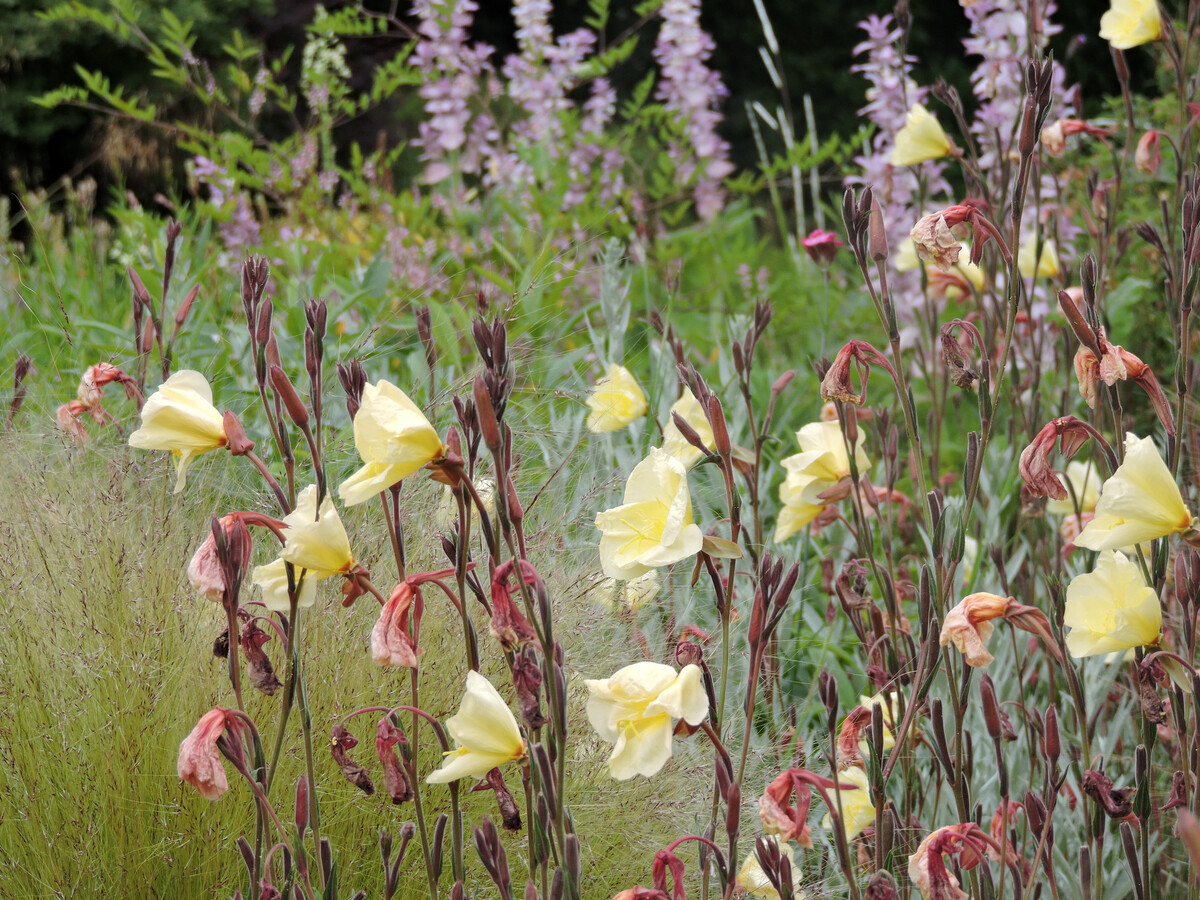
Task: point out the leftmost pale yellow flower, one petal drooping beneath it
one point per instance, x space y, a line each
181 417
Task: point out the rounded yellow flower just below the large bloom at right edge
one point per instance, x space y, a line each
1111 609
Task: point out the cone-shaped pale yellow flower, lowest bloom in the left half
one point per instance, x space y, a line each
484 733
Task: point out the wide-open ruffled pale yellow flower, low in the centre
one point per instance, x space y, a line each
638 709
